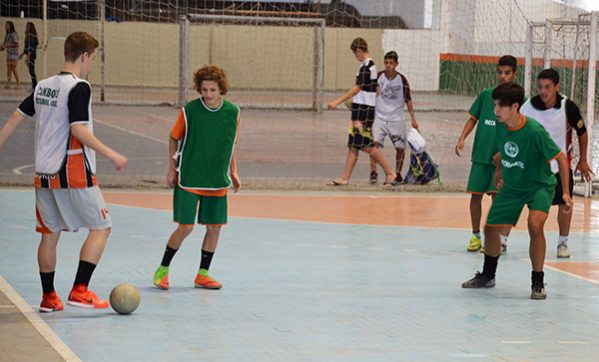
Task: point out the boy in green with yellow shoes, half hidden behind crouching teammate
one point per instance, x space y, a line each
481 179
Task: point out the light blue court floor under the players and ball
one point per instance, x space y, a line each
308 291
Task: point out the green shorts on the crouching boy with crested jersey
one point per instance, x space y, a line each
507 205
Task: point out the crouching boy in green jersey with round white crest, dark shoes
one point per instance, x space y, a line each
524 178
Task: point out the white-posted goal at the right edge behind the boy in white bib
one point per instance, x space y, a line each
570 47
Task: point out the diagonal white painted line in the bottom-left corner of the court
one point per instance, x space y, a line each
38 323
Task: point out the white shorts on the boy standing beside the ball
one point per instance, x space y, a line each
70 209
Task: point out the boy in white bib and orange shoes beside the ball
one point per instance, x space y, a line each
66 194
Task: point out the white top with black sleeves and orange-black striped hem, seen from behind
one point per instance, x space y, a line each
56 104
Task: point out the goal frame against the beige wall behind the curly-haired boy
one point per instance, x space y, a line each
271 62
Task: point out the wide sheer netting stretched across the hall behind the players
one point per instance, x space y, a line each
286 56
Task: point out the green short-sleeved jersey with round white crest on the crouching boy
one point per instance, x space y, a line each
525 155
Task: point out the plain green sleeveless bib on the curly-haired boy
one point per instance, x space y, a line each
207 147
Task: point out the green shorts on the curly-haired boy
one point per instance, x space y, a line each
212 210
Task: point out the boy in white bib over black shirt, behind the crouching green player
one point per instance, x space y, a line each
560 116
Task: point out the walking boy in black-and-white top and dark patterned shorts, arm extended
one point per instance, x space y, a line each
362 116
